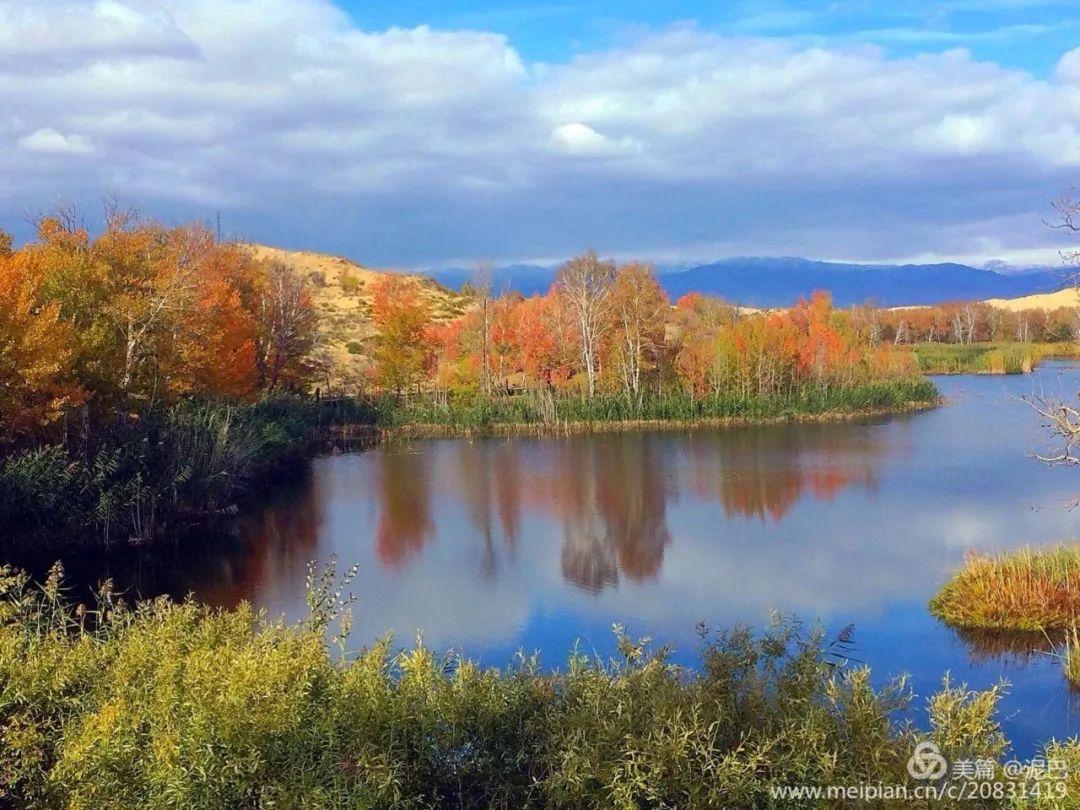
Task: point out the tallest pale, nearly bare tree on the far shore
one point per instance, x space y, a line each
585 285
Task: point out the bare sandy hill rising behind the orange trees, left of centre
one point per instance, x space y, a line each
342 292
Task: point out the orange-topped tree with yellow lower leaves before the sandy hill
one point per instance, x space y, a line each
402 318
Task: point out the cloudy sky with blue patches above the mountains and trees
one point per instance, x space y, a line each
427 133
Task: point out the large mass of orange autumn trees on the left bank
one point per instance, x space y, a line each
142 314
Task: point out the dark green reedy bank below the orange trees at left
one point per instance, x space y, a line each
138 479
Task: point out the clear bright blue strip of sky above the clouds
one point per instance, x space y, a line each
1030 35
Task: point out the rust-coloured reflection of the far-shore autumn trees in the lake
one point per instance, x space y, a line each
610 494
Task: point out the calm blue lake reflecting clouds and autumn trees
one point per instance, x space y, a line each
490 546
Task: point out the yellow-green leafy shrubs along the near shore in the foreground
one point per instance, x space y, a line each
178 706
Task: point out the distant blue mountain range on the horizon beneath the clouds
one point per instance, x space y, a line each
780 282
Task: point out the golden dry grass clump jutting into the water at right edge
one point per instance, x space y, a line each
1030 590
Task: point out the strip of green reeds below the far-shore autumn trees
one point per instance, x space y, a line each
541 410
